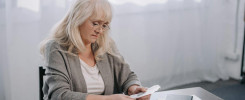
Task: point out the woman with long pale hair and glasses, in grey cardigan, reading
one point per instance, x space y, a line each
81 60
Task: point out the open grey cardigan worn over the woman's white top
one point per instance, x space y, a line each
65 81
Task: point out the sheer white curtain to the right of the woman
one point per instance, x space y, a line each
179 41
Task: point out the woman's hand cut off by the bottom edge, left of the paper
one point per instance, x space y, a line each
119 97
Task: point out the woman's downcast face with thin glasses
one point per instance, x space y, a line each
92 29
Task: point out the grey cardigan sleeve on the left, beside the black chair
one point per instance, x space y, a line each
57 85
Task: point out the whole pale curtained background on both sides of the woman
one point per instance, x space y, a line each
167 42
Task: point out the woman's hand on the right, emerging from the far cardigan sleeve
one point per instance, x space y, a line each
134 89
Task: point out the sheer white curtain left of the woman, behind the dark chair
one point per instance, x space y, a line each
25 23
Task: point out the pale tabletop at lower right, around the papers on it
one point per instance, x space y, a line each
198 91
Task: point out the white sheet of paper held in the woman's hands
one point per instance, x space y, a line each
149 91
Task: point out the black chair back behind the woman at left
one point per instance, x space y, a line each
41 75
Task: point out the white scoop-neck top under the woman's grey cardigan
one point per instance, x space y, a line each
93 79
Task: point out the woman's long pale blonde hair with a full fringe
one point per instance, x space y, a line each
66 32
